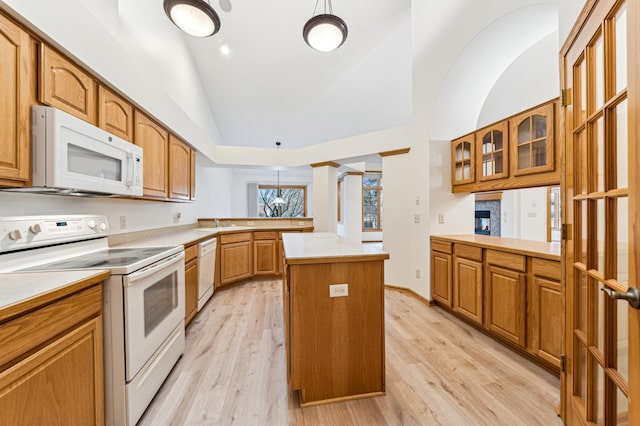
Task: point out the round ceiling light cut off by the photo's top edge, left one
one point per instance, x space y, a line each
195 17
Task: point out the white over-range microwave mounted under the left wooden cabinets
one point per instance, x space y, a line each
71 156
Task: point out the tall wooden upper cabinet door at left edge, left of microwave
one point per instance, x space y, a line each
17 70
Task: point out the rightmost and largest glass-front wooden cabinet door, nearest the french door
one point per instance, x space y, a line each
532 141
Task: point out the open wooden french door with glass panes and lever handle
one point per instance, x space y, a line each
601 84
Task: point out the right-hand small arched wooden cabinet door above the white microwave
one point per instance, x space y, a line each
115 115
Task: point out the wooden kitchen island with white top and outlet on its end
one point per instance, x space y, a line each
334 318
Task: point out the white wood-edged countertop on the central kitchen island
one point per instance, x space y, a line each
326 247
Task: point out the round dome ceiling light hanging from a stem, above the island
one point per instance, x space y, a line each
325 32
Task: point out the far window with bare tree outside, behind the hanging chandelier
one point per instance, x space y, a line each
294 196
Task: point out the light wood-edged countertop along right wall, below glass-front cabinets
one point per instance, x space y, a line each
526 247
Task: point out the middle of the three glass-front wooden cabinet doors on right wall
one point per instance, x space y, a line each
492 151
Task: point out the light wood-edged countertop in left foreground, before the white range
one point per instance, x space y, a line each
21 287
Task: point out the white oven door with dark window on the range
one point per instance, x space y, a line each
153 307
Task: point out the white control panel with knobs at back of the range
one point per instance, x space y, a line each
25 232
